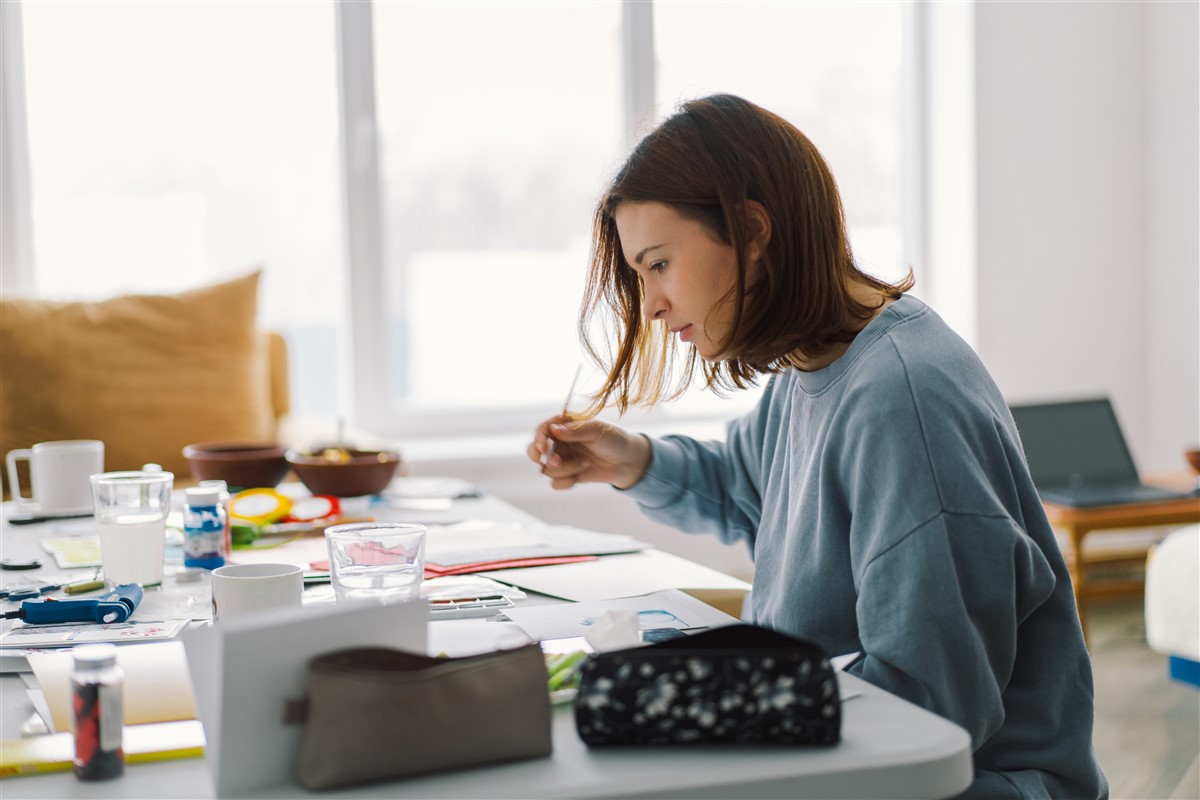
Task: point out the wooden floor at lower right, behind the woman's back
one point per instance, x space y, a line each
1148 727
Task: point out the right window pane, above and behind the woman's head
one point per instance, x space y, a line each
831 69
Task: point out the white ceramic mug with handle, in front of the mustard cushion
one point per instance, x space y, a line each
58 476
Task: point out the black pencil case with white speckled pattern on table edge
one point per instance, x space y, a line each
741 684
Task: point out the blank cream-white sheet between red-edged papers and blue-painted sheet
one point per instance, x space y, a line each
617 576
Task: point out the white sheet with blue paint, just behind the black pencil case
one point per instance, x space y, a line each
670 609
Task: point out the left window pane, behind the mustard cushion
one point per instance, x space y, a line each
179 143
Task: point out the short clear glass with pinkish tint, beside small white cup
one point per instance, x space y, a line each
376 561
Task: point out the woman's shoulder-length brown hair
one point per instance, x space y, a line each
706 161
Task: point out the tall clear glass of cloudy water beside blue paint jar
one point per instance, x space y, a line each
131 512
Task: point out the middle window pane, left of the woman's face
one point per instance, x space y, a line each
493 153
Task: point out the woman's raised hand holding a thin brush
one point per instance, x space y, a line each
590 453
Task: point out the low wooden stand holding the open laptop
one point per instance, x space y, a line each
1078 524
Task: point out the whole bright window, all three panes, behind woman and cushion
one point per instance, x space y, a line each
203 140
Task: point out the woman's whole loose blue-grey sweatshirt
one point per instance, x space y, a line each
889 508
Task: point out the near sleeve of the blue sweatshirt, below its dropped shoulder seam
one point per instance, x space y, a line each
940 615
